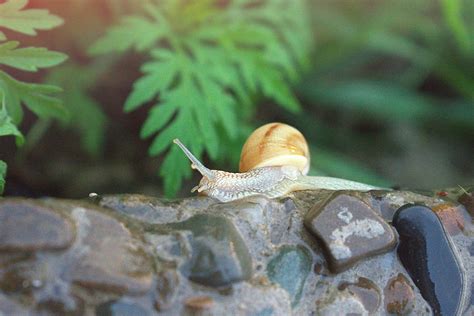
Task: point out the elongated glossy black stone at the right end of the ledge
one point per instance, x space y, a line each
426 253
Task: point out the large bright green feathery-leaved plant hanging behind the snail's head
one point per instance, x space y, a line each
208 60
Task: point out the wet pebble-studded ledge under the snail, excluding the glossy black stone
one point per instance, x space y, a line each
133 254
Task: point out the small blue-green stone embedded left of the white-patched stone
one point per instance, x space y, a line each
289 269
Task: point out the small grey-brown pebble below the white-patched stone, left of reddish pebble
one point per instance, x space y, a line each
366 291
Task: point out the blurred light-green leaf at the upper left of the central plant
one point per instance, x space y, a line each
133 32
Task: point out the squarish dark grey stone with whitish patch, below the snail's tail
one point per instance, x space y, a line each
349 230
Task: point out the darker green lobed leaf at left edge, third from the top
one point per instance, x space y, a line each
37 97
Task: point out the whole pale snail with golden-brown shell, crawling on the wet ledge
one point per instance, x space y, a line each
274 162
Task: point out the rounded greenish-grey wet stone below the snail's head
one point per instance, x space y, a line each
219 254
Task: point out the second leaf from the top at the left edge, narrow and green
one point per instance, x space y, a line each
29 58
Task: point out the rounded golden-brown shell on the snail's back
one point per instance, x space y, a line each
275 144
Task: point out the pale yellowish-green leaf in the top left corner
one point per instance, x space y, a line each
26 21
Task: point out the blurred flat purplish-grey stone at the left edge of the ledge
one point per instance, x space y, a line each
29 226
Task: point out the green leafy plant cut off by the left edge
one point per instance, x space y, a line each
39 98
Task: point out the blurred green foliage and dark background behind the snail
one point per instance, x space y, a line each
383 91
